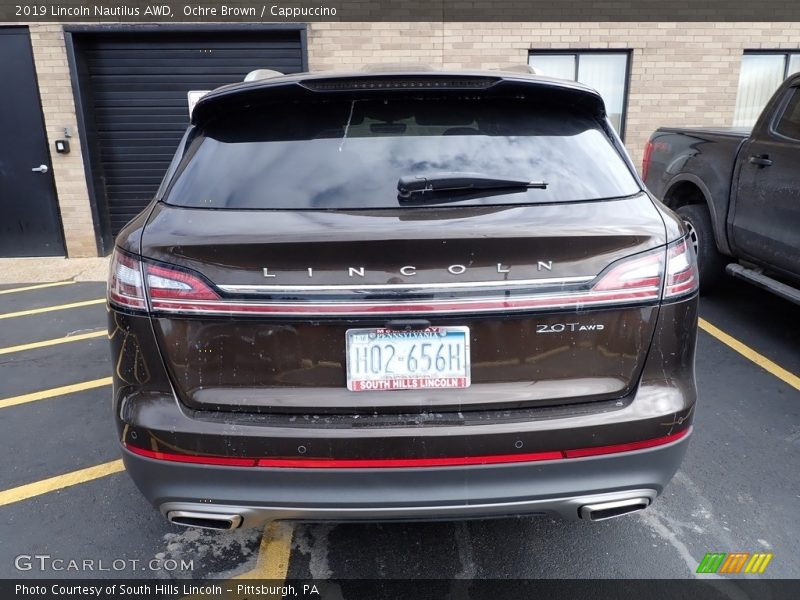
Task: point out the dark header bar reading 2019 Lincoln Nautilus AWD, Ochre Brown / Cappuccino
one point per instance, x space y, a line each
293 11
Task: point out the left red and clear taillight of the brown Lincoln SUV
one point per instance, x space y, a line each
164 285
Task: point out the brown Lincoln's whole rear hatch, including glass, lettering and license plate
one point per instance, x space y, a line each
282 229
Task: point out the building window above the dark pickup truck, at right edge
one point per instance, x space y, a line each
760 76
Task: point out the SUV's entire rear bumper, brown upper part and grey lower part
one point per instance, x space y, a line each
149 416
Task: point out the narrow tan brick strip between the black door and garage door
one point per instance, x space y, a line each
55 89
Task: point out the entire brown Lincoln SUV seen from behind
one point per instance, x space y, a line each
402 295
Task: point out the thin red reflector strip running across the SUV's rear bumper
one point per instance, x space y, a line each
394 463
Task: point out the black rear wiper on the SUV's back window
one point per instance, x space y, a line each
413 185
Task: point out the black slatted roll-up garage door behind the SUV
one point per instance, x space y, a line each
133 98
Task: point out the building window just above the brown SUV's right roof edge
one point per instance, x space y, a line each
607 72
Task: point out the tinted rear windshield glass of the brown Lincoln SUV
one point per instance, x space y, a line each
350 154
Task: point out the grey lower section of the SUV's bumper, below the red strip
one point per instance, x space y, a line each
556 487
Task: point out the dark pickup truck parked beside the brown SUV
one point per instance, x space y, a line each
738 191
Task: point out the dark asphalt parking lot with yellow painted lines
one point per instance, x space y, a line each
63 492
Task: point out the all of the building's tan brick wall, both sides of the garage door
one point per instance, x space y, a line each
682 74
